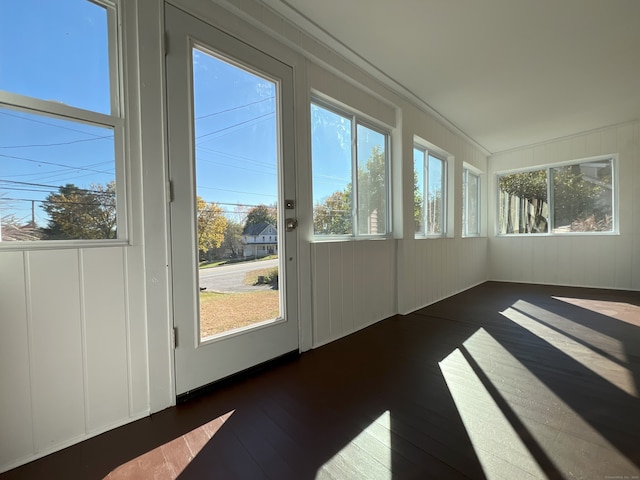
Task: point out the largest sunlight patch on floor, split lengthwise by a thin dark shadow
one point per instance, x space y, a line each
510 390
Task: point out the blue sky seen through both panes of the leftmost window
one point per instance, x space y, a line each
52 51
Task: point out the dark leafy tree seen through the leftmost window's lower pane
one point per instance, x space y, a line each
78 213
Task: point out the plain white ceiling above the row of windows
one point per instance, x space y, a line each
507 73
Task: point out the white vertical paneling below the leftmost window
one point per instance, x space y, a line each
67 370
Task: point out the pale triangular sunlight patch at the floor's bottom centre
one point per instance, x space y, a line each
366 456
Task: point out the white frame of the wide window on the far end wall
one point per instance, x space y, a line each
547 168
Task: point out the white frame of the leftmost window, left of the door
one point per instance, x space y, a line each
115 121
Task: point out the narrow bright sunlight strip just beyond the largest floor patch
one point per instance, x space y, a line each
610 371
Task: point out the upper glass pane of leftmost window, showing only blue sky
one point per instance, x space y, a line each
56 51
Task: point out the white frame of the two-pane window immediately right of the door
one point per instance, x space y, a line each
357 120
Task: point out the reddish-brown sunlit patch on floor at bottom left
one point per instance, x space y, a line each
168 461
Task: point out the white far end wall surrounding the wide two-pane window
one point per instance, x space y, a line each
606 261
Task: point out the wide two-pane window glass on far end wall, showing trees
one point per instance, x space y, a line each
575 197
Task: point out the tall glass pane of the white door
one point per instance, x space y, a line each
236 155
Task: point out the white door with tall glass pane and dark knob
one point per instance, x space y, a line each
230 110
